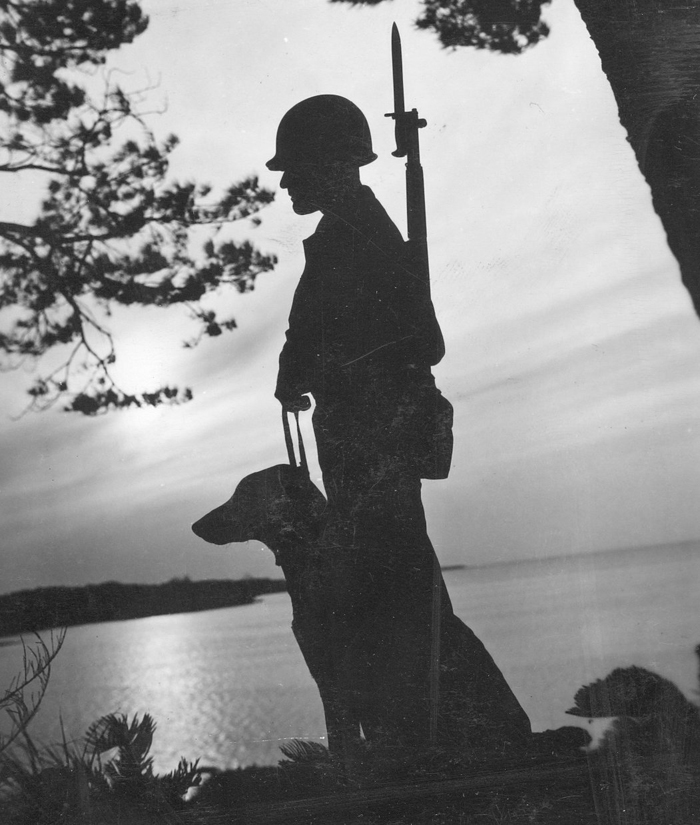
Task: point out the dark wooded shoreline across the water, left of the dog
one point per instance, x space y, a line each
43 608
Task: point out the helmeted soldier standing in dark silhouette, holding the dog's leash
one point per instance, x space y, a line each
362 339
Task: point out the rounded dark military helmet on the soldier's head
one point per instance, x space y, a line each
322 129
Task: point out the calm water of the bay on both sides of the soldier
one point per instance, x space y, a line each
229 686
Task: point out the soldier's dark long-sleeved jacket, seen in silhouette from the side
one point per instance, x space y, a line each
359 315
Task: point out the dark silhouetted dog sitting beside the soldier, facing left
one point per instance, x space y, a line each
365 691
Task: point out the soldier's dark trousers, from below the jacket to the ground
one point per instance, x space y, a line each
377 578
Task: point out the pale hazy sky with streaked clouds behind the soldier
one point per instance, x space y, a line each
573 354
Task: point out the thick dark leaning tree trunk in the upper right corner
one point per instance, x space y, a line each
650 52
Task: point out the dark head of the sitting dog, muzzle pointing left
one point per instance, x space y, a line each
279 506
